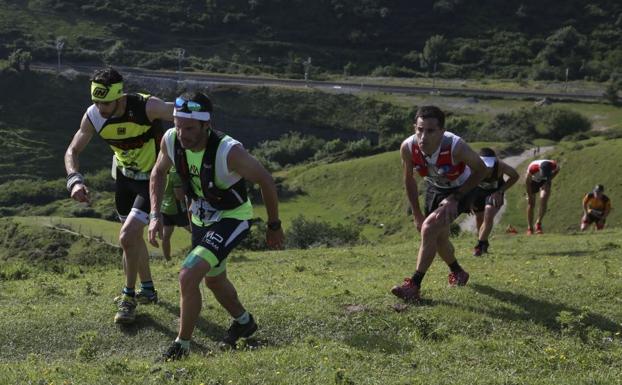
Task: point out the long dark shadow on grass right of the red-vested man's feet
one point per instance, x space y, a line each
537 310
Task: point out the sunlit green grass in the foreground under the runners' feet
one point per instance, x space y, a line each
538 310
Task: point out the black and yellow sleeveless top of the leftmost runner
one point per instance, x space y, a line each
134 139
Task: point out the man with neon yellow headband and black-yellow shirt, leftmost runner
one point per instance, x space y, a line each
130 124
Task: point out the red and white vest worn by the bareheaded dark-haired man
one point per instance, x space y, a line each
442 172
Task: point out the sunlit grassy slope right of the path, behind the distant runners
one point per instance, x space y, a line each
583 165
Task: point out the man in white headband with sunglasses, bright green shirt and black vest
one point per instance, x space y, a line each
213 168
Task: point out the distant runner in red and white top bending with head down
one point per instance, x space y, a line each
538 178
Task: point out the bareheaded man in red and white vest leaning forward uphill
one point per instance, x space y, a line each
451 170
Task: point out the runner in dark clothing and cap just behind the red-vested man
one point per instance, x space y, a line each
489 195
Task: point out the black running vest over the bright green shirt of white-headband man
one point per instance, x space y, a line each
220 199
